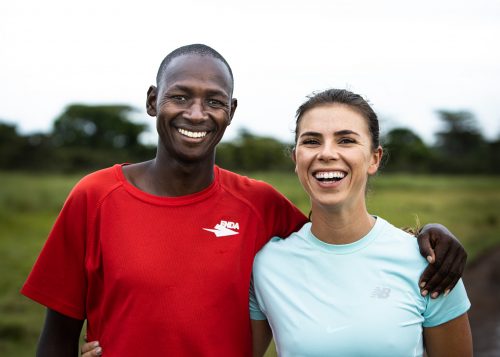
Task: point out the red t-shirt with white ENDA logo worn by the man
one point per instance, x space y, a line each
160 276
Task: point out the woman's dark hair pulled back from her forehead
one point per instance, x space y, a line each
345 97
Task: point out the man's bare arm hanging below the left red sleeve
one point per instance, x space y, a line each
60 336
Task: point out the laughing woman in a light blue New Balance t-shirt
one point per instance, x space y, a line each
308 286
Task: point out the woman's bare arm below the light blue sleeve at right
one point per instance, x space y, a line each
451 339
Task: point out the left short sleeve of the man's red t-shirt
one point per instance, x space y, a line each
58 278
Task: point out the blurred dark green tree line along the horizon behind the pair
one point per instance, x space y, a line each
88 137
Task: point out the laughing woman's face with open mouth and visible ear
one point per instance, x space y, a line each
334 157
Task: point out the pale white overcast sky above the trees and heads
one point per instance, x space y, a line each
408 59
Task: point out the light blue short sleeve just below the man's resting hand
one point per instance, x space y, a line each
446 308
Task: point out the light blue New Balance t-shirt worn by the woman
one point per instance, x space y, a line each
358 299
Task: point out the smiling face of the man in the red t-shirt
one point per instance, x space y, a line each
193 105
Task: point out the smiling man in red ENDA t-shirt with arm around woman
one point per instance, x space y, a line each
157 256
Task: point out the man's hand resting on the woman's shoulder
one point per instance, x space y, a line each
446 256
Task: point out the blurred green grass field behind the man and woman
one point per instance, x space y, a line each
469 206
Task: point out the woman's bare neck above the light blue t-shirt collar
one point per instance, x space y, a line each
341 227
